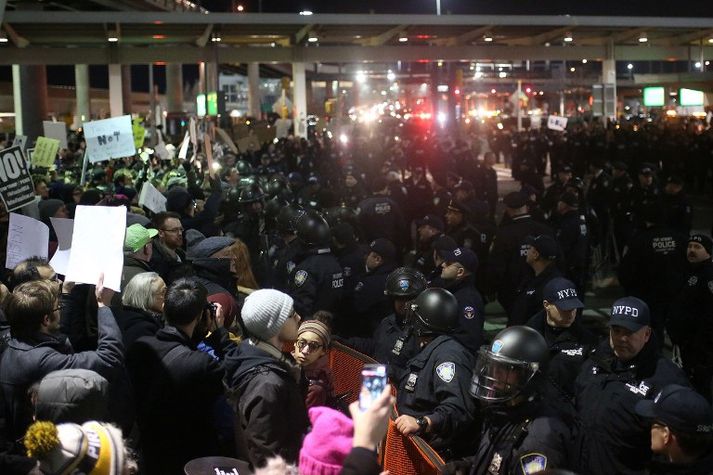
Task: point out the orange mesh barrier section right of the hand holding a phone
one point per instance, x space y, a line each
402 455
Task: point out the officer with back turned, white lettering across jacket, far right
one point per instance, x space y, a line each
653 266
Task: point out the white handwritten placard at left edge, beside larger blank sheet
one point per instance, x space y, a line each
26 237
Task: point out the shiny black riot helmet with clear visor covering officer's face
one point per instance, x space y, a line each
509 367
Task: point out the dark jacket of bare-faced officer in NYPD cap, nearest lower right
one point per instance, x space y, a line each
613 437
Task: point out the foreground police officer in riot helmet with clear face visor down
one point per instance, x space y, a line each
521 433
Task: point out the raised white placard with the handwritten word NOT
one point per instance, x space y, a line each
109 138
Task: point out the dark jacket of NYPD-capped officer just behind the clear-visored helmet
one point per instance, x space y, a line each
569 349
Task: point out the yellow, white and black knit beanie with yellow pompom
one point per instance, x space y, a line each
94 448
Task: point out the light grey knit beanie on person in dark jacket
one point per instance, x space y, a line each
265 311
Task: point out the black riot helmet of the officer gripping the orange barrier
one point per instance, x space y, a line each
436 312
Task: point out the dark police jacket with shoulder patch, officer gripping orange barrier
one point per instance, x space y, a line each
435 384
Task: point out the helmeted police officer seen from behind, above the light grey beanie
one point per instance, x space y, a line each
317 281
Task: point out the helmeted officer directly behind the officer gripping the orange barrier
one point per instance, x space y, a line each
393 342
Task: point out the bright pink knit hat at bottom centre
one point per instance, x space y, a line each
328 444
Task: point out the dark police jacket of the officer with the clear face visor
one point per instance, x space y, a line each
522 440
